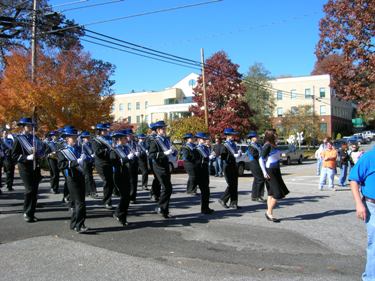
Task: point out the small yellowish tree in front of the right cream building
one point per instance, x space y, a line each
301 119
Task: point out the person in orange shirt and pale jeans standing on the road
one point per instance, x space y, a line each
329 157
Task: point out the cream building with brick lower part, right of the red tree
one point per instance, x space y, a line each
335 115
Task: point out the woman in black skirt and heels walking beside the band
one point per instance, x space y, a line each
269 162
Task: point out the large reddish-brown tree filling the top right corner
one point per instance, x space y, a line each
347 30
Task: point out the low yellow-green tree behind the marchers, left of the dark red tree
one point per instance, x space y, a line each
179 127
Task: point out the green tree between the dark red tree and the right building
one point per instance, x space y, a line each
259 97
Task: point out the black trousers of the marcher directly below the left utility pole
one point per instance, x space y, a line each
30 179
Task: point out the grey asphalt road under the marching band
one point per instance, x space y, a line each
319 237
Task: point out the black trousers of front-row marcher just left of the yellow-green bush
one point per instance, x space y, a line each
164 177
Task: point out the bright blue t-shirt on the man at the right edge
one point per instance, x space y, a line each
364 173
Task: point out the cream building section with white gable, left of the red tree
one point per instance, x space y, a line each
148 107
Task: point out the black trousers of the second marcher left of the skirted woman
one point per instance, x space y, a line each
231 177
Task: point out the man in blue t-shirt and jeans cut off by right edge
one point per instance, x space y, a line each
362 179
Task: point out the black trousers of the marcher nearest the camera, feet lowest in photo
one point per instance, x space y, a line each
76 186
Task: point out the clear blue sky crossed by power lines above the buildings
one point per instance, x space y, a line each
280 34
